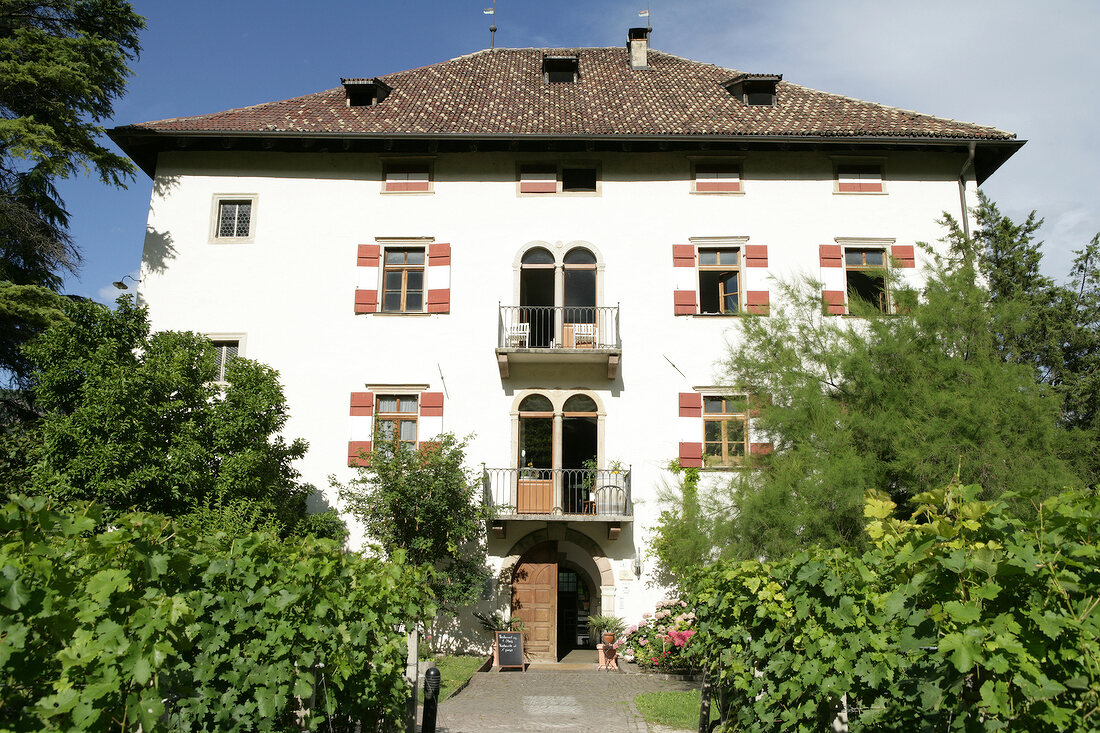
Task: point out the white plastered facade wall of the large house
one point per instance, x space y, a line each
291 288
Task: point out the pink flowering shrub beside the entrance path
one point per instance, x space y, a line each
662 642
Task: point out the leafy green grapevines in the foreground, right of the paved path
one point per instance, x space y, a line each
962 618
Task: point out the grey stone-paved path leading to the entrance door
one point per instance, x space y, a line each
560 702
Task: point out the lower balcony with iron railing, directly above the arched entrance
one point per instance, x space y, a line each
558 496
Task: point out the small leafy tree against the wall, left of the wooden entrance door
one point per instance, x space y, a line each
425 502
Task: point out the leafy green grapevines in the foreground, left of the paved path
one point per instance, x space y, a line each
235 633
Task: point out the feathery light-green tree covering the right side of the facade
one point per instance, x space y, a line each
901 403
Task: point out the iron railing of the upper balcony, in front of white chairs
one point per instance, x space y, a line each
559 327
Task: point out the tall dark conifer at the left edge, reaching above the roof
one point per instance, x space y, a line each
63 63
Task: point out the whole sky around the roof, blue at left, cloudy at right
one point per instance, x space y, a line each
1019 65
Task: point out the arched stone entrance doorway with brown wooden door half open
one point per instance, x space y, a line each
554 594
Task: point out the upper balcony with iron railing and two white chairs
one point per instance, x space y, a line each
558 335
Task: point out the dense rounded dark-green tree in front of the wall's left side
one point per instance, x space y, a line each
136 421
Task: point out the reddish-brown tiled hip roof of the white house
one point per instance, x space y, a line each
502 93
